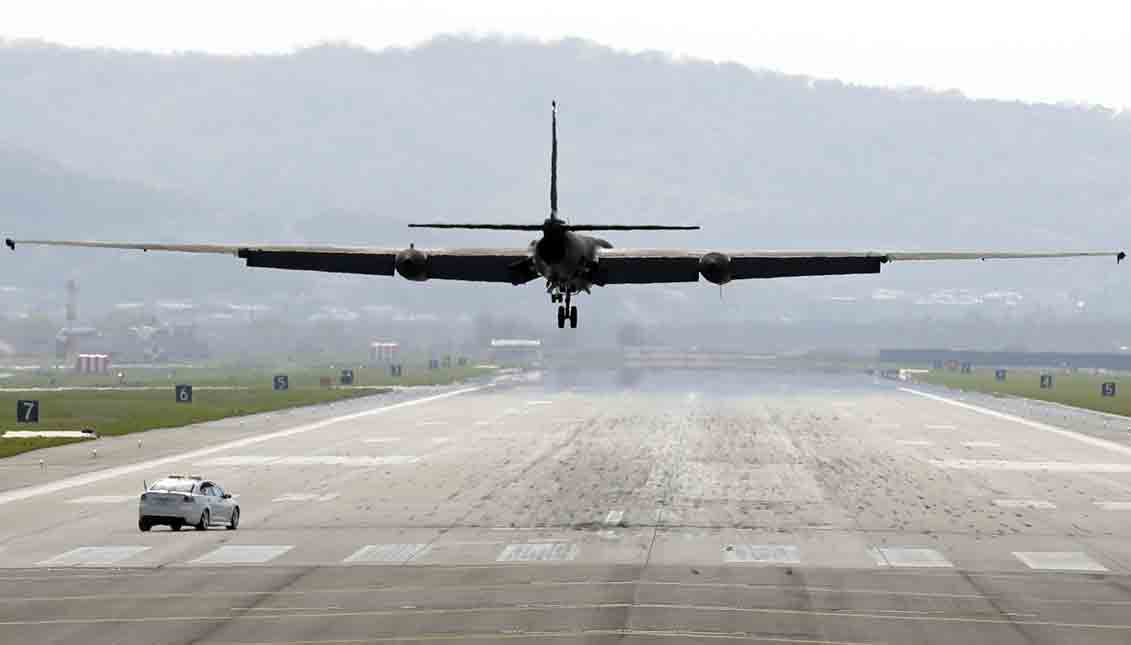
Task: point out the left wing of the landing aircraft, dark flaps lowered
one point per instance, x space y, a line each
511 266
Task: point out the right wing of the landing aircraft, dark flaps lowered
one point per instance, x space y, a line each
644 266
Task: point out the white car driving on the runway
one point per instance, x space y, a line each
178 501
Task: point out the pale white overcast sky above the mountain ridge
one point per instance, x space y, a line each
1031 50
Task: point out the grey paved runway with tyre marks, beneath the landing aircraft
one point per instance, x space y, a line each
767 509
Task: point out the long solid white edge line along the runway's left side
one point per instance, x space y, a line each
88 479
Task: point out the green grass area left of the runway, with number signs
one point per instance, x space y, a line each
125 411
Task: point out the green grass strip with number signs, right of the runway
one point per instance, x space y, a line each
1080 390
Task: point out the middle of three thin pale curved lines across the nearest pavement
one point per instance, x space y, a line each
581 607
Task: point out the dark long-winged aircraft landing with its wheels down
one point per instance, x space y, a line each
568 261
